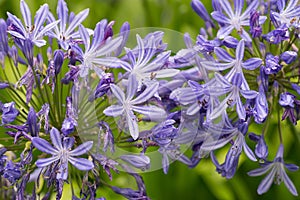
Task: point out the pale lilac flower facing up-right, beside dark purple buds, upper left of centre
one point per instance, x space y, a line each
95 55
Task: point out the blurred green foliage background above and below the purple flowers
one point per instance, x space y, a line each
181 182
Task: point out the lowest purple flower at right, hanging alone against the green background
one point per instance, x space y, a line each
277 173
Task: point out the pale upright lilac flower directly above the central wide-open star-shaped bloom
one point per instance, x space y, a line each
144 66
